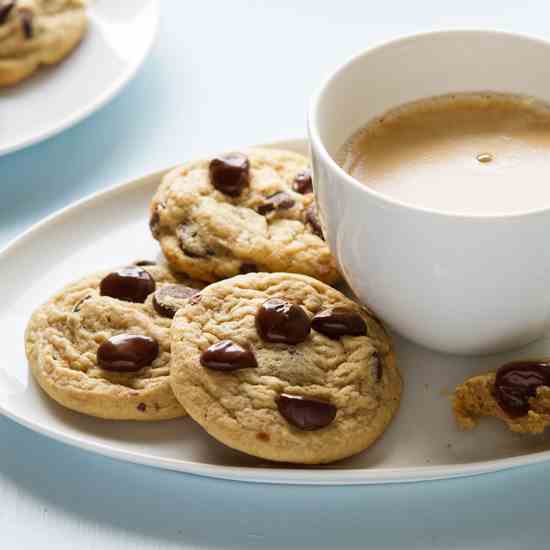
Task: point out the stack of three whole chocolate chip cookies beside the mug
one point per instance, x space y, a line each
241 329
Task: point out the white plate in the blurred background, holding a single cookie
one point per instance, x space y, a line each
119 36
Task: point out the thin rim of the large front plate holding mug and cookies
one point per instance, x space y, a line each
275 475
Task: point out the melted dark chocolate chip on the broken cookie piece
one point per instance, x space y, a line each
516 382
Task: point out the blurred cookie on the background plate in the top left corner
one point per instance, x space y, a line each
37 32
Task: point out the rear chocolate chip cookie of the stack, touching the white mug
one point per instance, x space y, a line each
241 213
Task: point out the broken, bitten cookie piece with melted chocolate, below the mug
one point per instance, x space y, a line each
518 393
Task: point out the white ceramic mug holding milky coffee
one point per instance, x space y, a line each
465 284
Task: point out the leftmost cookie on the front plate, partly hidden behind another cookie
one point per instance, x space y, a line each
101 346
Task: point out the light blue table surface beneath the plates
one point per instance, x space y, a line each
226 74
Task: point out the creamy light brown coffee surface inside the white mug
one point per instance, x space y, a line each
482 153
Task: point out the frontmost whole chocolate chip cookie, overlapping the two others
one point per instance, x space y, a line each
284 367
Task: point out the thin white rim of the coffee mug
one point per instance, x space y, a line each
387 200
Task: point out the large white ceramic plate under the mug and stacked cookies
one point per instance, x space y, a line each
110 228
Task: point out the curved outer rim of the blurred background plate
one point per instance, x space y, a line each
103 99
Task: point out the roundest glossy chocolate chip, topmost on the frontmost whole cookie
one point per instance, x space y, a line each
281 322
